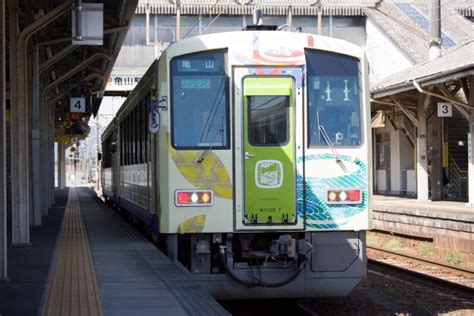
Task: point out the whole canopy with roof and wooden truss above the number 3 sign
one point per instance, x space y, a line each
449 78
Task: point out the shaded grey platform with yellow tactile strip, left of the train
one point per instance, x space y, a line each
97 265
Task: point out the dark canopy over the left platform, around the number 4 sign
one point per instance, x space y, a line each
65 67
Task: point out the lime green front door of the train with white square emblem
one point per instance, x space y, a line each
269 151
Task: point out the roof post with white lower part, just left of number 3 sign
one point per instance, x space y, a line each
422 154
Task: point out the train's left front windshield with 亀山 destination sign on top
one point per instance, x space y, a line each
199 101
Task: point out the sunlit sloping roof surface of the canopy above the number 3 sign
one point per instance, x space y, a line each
457 63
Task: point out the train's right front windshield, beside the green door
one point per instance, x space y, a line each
334 98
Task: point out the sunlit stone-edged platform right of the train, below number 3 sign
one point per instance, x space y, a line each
449 225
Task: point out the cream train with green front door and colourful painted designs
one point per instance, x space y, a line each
247 157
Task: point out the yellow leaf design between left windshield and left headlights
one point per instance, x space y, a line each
210 173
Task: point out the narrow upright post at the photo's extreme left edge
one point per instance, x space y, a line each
3 151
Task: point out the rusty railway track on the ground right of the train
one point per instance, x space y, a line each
458 277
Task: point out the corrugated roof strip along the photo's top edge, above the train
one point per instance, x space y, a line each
269 7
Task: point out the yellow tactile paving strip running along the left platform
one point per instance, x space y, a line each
72 287
